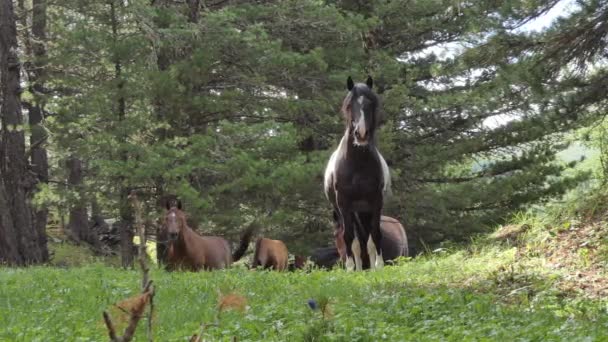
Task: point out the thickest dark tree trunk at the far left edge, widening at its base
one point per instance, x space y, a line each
18 181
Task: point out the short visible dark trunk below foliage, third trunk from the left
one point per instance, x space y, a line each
78 224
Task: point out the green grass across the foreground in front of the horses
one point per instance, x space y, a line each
473 294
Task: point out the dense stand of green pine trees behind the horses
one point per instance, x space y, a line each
233 107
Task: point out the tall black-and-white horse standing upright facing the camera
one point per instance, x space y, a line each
357 178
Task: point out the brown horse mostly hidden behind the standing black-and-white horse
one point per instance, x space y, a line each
394 240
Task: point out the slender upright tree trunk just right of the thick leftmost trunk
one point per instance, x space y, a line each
40 163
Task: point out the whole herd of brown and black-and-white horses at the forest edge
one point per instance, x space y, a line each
356 181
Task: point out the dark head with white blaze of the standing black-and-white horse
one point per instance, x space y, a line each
360 108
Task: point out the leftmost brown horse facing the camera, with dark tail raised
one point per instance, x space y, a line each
188 250
